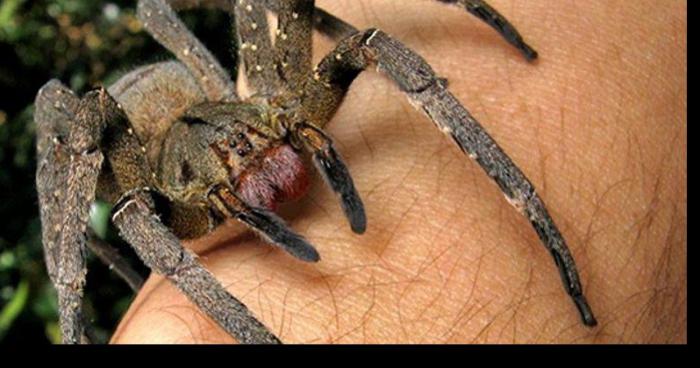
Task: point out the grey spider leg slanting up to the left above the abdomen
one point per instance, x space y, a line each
160 20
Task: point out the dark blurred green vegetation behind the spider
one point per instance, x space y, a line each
84 44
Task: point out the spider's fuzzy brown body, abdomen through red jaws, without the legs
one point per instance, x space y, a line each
244 143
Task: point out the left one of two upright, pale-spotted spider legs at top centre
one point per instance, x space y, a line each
255 47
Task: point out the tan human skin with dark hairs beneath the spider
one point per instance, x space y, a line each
598 124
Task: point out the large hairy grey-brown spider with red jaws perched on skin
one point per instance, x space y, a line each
177 151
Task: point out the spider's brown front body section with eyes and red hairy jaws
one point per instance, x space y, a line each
244 145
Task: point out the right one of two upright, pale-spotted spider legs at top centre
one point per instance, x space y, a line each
293 41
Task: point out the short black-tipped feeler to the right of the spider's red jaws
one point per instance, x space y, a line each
335 173
